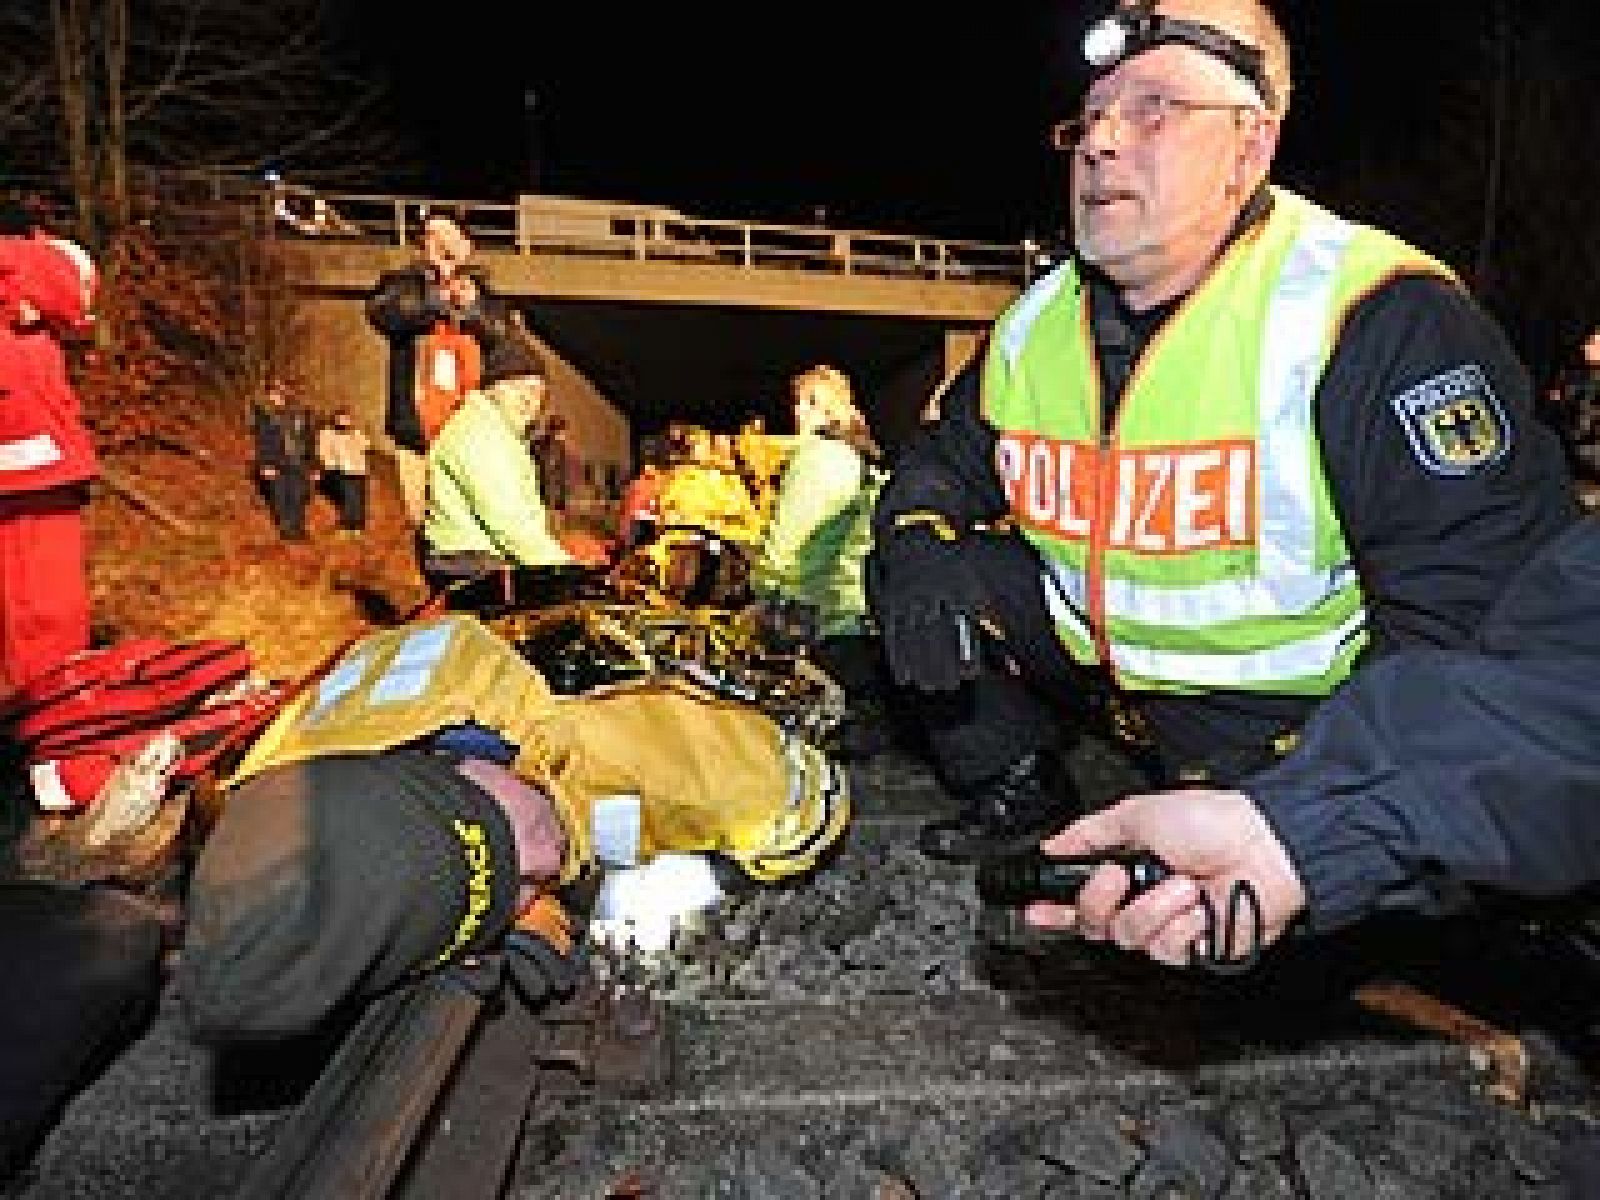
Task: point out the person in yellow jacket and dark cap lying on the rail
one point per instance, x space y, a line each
430 799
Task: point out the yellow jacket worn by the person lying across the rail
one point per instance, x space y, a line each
636 770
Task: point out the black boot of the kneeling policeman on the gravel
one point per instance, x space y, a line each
1006 815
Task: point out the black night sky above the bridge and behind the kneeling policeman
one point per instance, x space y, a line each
916 121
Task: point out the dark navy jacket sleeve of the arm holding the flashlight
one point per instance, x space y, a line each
1434 772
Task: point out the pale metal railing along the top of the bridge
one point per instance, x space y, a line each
550 225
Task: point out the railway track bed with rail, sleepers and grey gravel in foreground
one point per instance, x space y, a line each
874 1033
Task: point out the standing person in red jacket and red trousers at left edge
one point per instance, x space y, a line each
47 458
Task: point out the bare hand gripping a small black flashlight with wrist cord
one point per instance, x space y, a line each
1210 839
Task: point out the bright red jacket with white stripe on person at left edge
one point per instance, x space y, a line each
44 442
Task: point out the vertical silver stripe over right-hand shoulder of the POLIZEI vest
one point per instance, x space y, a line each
1292 348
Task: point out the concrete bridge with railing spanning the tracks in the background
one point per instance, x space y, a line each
655 314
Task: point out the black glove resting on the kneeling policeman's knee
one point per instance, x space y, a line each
930 607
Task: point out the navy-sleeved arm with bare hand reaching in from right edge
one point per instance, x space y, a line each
1430 777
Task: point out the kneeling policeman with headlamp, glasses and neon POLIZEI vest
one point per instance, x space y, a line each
1228 452
